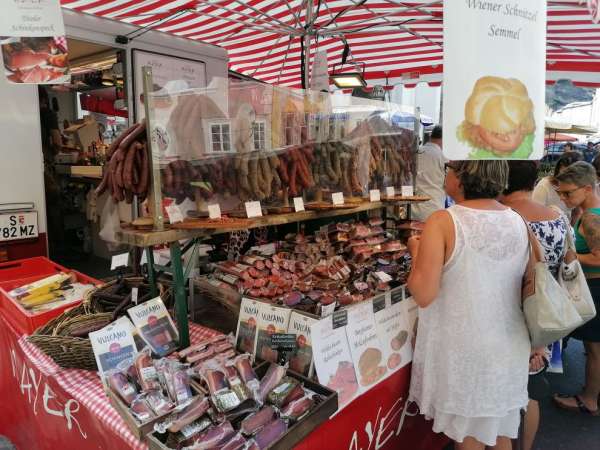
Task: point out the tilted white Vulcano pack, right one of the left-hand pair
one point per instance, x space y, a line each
155 325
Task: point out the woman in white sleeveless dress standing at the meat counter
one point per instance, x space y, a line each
471 361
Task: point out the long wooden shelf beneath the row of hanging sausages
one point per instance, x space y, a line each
150 238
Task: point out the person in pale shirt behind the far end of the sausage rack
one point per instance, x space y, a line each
430 176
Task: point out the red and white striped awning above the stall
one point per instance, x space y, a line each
397 39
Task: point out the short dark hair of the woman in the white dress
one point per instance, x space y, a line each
482 179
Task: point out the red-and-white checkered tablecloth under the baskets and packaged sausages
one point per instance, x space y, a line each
85 387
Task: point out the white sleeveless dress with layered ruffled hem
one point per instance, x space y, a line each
470 366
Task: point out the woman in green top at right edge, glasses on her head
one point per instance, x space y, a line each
577 187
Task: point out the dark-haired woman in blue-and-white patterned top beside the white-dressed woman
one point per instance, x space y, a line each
550 228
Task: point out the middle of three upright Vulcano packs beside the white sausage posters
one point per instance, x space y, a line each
271 320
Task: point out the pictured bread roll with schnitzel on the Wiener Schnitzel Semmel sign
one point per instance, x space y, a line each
498 115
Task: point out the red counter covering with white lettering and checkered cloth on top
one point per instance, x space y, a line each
46 407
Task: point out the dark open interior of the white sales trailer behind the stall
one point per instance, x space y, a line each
79 121
